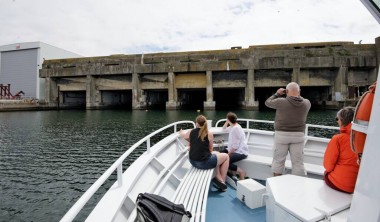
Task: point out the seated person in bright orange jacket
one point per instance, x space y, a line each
340 161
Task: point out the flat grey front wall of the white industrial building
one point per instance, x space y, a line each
19 68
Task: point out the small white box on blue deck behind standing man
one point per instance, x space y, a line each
250 192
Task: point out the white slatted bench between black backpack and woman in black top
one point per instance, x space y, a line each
193 191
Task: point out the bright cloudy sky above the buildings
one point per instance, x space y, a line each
107 27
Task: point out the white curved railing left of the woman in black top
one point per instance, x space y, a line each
118 166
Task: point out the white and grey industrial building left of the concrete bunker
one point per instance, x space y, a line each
20 64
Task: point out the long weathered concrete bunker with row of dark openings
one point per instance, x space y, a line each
331 74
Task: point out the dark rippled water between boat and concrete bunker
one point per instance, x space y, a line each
49 158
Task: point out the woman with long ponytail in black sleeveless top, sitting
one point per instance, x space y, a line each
201 154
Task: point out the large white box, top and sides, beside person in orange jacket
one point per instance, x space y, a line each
295 198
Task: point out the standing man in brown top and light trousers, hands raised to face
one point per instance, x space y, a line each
289 126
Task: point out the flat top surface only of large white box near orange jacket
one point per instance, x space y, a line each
305 198
